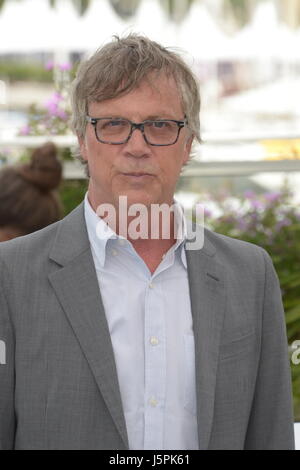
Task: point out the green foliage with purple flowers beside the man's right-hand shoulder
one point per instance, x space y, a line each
271 221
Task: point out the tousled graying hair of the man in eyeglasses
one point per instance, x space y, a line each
120 66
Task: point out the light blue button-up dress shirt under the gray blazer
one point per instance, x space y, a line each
150 322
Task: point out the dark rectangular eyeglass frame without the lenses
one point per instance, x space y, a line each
139 126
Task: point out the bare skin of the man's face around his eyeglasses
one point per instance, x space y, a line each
109 165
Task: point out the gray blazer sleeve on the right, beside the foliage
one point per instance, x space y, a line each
271 424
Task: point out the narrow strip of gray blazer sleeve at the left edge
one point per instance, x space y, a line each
7 370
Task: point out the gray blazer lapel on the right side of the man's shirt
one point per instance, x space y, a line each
207 294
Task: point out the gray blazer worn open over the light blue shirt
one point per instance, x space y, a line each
59 386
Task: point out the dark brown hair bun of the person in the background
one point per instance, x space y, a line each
44 170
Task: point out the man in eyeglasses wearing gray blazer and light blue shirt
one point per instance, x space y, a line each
115 341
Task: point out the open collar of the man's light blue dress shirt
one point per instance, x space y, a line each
100 233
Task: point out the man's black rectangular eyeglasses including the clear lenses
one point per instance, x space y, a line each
116 131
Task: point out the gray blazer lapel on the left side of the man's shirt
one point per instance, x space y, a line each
77 289
